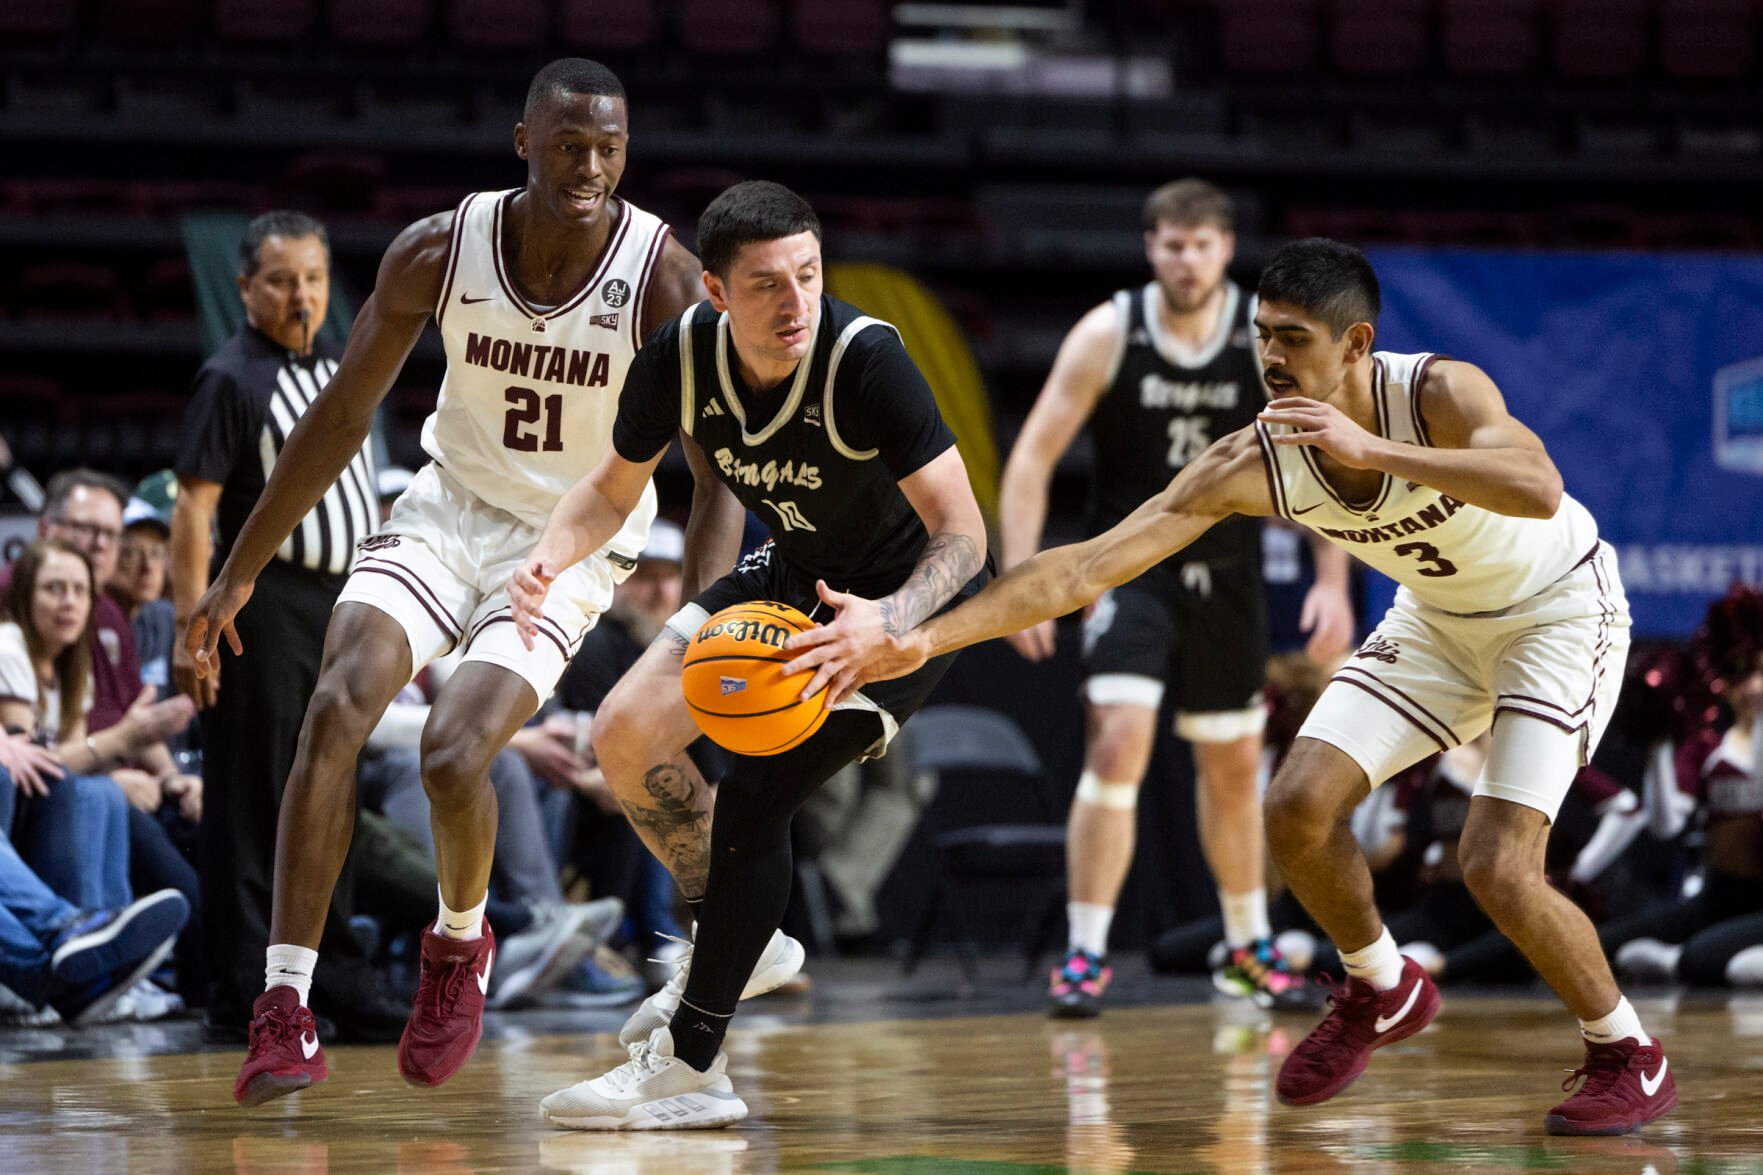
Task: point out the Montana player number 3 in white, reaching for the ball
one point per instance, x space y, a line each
1510 615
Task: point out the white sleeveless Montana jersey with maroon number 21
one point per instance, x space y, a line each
532 393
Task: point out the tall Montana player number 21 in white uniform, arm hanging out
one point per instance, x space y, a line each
542 297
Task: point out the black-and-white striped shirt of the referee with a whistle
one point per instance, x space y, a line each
244 405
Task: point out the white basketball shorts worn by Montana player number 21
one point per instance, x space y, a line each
442 567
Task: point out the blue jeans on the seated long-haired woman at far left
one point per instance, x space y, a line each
77 839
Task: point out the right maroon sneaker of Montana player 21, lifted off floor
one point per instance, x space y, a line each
449 1015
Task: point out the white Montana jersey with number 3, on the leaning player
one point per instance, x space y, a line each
1445 553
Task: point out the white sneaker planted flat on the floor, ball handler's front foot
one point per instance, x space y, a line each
653 1091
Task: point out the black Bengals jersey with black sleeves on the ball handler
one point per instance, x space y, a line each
817 458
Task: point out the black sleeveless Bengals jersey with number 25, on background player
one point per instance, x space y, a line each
1163 410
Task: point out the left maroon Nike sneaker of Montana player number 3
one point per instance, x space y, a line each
1360 1019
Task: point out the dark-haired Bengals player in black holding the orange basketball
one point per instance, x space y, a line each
821 424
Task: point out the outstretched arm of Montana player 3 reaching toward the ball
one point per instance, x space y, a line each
1226 479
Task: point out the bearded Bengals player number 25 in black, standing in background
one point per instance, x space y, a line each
1161 371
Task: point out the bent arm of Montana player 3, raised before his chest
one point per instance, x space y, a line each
1480 453
